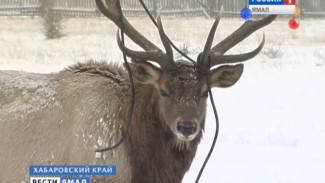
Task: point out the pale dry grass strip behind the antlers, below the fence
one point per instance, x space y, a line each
24 47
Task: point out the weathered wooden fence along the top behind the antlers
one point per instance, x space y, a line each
315 8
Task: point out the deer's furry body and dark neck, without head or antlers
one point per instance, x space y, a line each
62 118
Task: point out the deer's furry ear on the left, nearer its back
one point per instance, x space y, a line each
145 72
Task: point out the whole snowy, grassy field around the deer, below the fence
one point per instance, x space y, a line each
272 122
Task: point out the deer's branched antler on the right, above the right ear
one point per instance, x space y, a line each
216 54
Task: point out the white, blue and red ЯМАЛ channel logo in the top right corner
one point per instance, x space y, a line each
275 7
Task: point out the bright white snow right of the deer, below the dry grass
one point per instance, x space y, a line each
272 128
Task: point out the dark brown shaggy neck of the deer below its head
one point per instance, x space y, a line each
154 156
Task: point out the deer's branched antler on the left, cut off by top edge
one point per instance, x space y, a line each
152 52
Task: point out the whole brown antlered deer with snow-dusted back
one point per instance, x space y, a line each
63 118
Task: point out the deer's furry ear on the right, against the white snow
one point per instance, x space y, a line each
226 76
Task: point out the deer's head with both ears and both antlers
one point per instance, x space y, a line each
181 86
